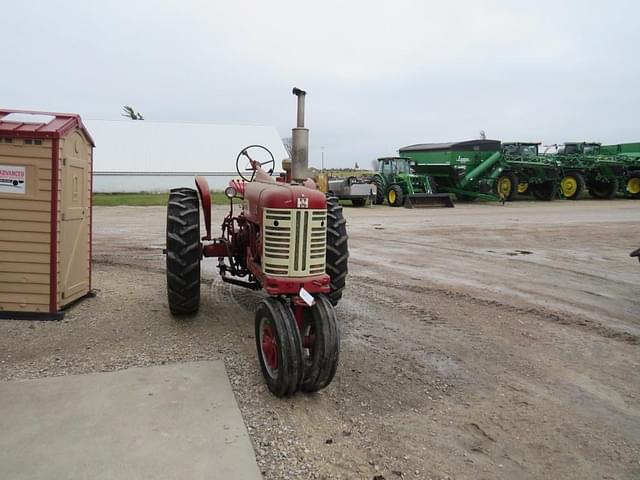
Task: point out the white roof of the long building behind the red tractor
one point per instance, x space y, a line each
144 146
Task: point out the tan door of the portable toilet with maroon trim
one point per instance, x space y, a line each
74 222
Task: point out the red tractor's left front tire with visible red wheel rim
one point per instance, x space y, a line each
279 347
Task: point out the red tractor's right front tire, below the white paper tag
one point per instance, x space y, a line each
320 326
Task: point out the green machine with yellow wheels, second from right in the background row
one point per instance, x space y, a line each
585 168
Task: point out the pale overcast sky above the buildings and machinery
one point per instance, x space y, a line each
379 75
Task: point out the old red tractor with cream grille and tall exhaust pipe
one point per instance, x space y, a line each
289 240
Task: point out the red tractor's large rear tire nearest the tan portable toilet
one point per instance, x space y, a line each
183 251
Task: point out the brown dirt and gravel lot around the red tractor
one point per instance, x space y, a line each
478 342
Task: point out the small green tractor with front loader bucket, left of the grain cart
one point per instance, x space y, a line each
397 183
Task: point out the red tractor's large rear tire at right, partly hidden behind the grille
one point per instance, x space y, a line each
337 258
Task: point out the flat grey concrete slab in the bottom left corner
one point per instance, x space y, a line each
165 422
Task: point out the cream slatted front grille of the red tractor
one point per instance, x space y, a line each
294 243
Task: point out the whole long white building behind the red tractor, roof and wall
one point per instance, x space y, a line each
139 155
